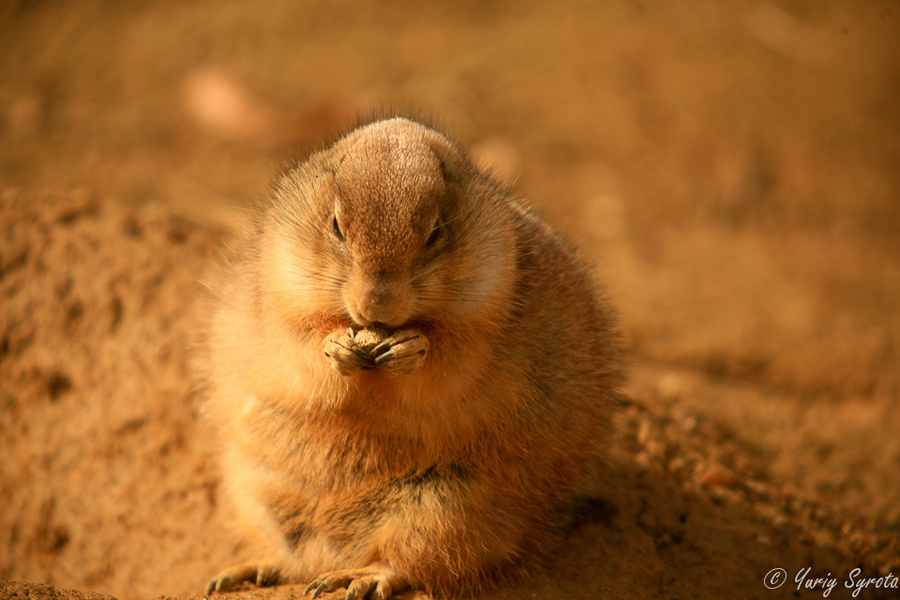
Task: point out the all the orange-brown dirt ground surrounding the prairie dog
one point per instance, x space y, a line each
731 168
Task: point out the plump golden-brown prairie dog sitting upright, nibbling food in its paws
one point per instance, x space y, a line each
410 372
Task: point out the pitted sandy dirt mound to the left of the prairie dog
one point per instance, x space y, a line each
98 408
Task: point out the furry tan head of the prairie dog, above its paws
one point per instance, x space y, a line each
390 224
